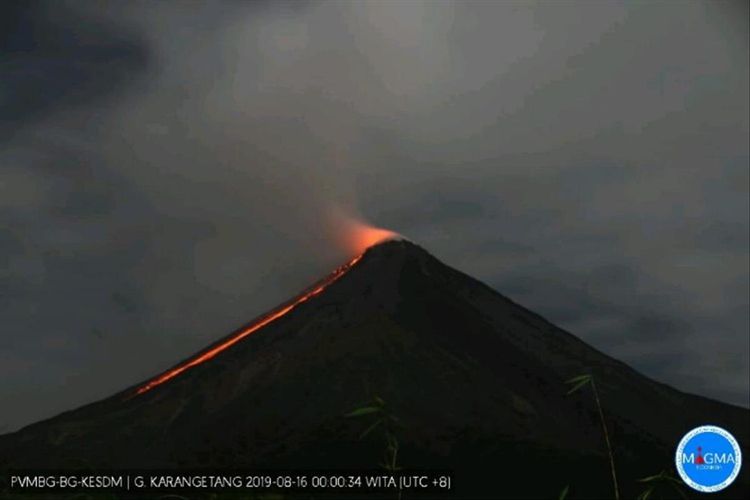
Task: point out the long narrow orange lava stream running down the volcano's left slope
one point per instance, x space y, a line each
256 325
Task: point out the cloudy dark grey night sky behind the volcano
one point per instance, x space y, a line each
168 170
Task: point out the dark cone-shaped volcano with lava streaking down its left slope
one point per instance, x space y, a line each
476 381
